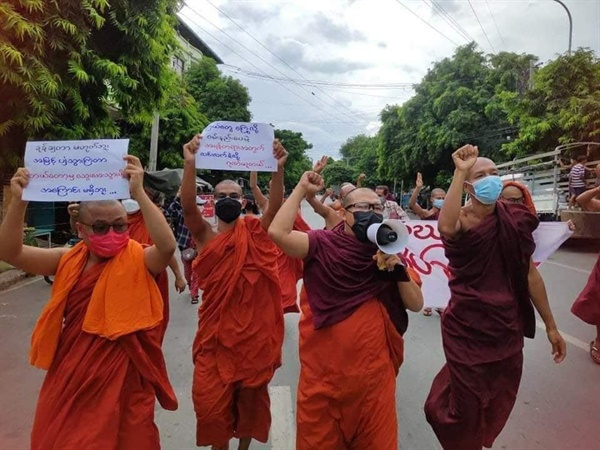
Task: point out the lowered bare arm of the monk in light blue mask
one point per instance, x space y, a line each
539 298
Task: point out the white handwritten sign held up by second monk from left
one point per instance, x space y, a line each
237 146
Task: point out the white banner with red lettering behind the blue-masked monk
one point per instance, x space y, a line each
425 254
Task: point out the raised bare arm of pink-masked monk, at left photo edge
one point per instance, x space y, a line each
35 260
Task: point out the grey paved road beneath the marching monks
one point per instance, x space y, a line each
557 409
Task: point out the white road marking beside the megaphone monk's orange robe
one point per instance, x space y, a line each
283 424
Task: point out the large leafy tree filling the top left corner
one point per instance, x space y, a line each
66 67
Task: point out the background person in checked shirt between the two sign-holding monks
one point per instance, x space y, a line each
185 243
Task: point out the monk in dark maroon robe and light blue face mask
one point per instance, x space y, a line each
493 282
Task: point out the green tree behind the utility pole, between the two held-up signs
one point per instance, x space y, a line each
179 121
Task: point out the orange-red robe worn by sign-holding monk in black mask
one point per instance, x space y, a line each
240 333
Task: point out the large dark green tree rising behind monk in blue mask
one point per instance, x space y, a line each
458 101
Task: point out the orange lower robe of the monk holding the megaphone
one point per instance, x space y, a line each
347 386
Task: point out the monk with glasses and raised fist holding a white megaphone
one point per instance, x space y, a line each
353 318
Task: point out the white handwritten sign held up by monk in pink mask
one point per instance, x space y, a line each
76 170
